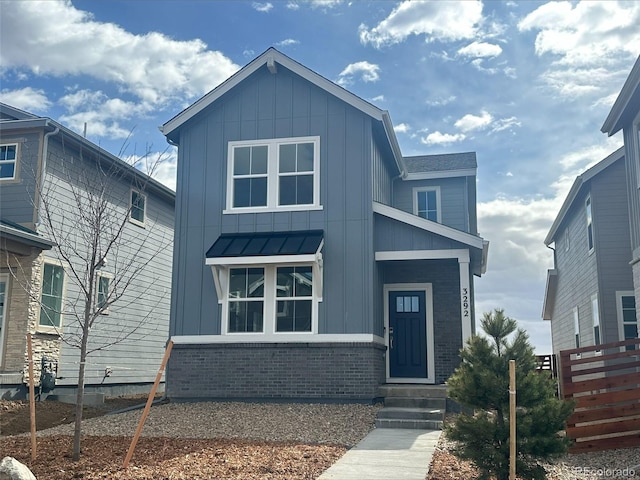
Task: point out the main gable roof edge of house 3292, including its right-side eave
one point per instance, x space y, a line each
271 59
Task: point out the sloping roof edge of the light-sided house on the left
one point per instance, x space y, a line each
22 120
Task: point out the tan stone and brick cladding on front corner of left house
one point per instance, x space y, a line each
25 280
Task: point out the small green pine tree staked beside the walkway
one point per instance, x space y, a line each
481 383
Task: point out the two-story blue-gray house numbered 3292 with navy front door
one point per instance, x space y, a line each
312 260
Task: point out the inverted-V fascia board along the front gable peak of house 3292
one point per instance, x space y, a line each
271 55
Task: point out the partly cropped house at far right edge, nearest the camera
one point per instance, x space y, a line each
625 116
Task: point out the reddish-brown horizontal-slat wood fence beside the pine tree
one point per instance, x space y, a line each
604 381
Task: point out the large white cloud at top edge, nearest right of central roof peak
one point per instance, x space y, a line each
445 21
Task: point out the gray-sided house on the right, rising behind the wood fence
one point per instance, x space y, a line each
589 294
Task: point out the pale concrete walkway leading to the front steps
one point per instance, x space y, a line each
387 454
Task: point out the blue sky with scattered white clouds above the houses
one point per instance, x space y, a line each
526 85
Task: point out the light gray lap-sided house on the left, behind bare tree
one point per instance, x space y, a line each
38 154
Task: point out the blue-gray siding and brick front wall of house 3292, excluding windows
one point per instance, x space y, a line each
356 168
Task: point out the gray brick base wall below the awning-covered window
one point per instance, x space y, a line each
276 371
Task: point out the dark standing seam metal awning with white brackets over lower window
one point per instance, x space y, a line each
238 249
